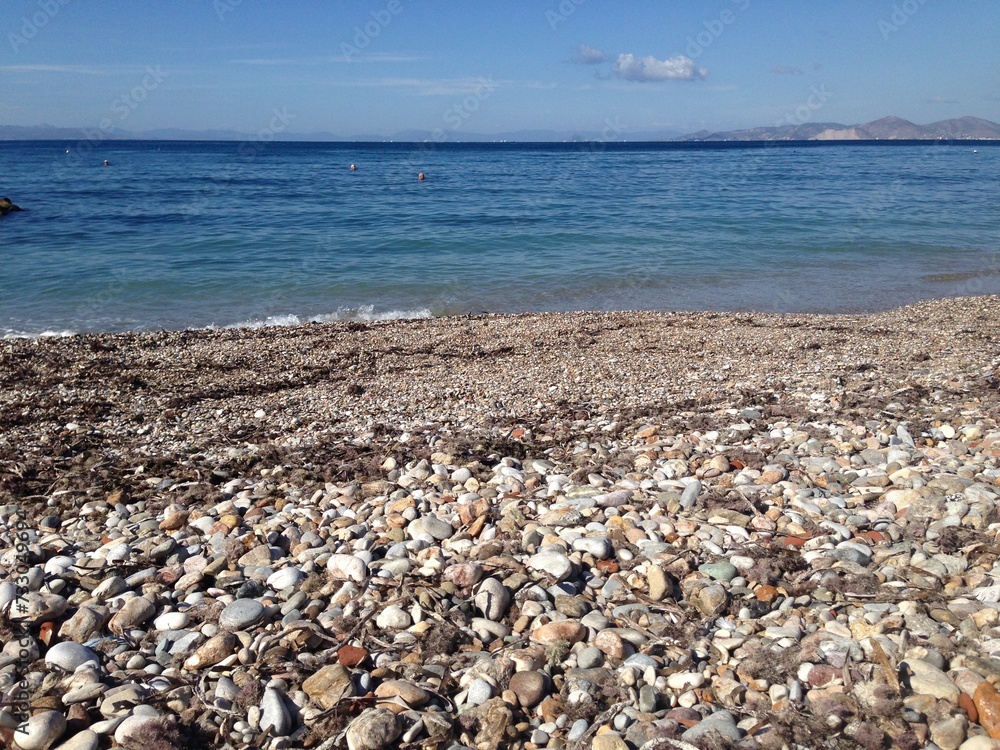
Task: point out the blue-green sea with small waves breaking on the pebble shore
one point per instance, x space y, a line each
179 235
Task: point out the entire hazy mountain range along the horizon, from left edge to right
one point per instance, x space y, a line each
888 128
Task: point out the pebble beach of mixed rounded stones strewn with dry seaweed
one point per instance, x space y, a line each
618 531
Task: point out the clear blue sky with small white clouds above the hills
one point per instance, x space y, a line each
354 67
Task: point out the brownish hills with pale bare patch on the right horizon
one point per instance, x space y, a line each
886 129
